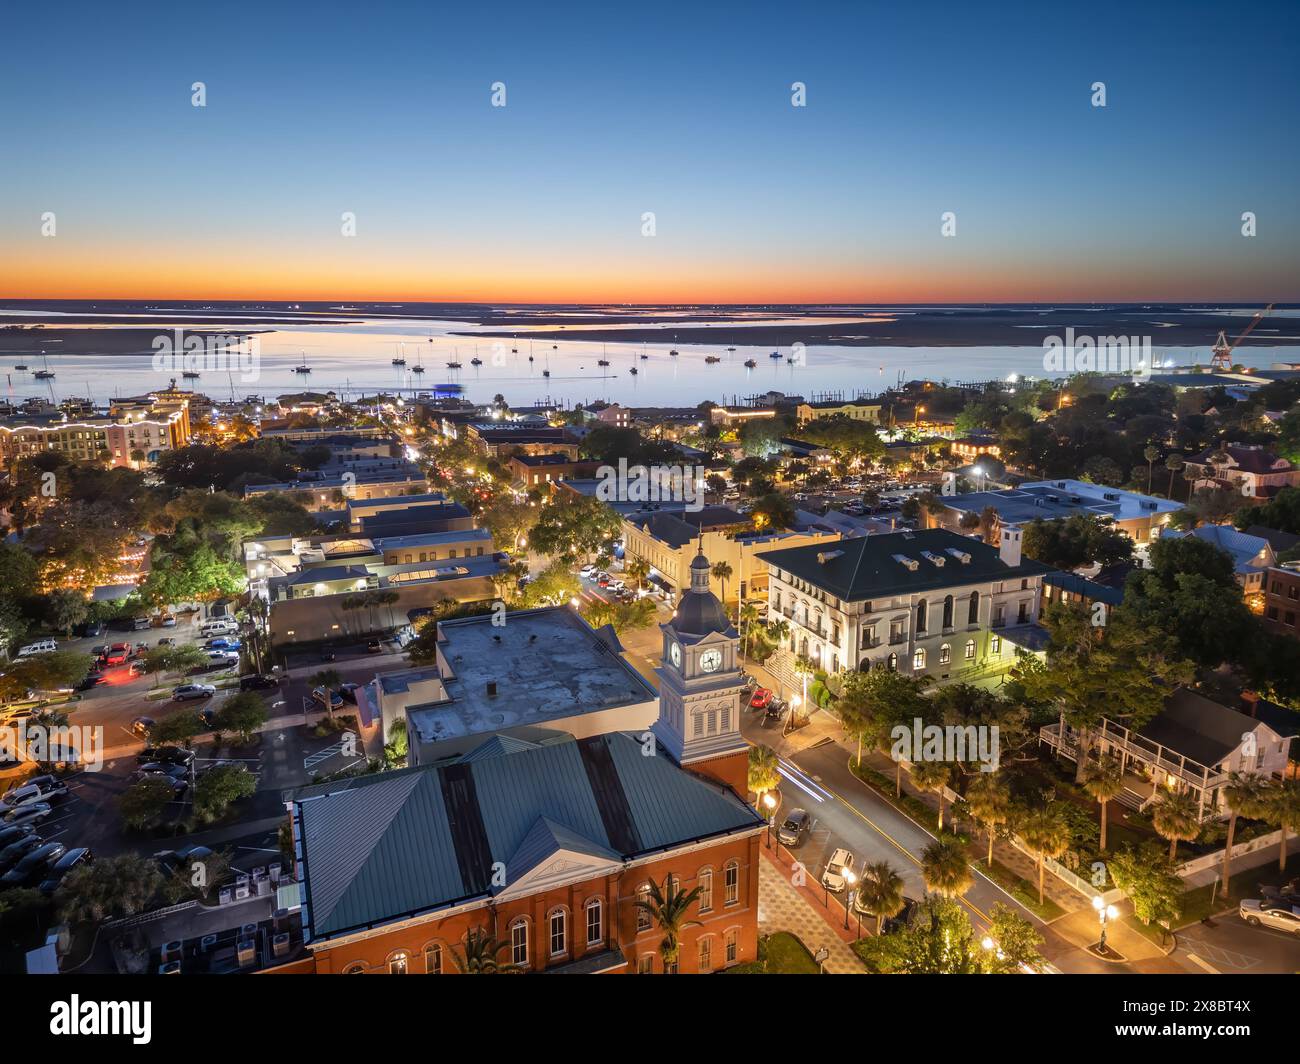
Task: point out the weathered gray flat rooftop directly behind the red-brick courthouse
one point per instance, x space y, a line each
547 665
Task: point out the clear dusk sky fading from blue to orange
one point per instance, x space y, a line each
385 111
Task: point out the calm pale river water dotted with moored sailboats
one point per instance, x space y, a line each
357 358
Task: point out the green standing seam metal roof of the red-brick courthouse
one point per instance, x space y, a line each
380 847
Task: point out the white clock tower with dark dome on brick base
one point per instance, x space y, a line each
700 685
